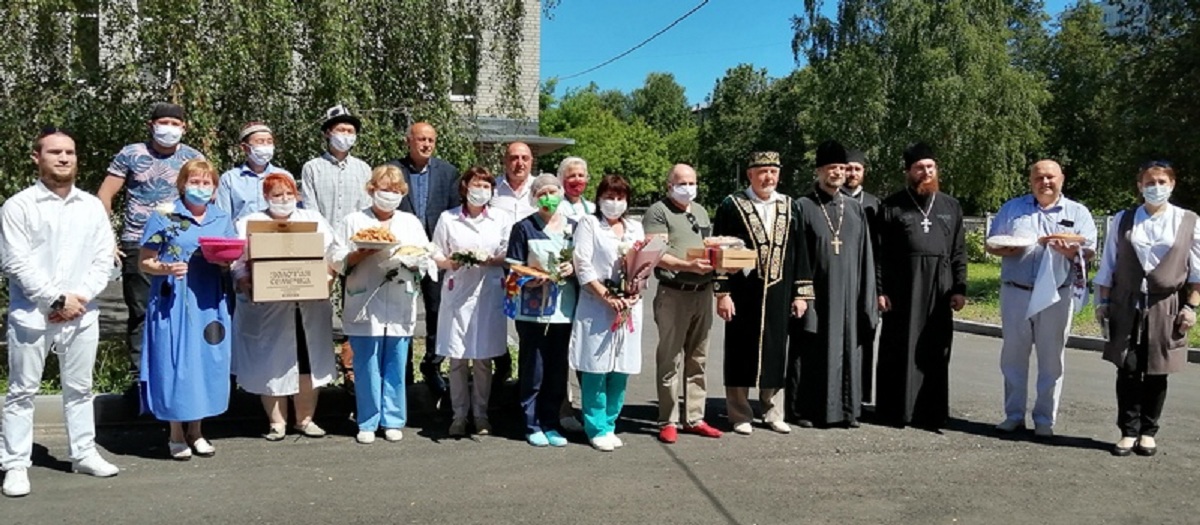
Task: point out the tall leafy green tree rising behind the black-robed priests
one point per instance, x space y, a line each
890 74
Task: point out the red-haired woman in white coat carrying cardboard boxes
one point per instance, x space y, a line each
281 349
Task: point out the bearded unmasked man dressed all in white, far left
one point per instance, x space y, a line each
57 250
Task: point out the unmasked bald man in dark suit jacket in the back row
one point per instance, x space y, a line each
433 190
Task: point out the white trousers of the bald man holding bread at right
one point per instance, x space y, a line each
1047 333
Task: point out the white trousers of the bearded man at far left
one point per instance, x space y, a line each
28 351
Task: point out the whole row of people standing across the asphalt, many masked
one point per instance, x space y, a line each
801 324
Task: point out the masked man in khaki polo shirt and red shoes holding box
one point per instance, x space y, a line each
683 306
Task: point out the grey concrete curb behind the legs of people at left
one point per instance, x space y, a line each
334 403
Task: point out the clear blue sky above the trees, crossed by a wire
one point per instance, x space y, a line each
699 51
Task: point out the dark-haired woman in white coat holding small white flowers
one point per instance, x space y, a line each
471 244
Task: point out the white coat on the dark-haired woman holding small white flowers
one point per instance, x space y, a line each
471 322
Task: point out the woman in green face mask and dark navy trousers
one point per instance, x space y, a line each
543 310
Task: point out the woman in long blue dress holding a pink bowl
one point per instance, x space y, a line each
185 367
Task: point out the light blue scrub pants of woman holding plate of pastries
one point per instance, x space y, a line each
380 390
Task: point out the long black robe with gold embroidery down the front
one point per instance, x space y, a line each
757 337
